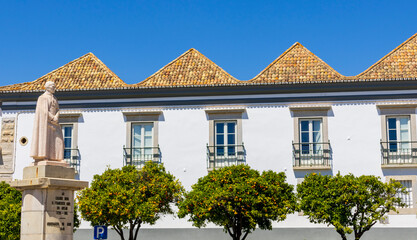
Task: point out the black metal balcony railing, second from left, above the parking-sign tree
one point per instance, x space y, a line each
138 156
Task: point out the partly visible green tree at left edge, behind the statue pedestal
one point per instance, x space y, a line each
10 209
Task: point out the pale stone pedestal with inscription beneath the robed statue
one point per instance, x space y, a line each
48 202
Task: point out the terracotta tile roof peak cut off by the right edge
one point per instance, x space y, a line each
399 63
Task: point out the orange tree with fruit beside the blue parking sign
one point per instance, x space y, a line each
128 197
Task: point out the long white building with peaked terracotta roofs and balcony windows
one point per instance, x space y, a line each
297 116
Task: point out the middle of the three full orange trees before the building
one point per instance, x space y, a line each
239 199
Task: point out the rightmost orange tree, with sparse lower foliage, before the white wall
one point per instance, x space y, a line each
349 203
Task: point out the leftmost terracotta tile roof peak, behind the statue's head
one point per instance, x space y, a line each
86 72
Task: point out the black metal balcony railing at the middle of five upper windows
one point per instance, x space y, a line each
225 155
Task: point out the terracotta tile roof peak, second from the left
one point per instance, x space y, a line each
190 69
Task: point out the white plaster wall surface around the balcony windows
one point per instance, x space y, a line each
354 133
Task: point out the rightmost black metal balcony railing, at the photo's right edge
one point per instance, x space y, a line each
398 152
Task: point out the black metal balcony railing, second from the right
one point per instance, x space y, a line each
312 154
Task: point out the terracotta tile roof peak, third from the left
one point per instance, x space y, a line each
297 65
